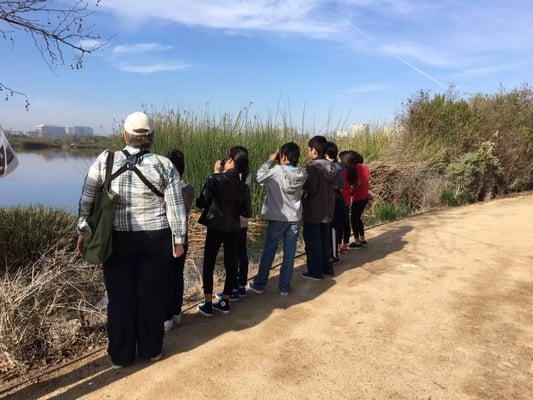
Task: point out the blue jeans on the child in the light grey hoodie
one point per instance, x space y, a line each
276 231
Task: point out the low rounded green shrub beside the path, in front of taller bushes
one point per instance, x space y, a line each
475 175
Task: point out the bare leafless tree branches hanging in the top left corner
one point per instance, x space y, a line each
53 29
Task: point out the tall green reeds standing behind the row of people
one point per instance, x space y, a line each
205 138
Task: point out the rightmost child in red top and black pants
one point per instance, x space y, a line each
359 201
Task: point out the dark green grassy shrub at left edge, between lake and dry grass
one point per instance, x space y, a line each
27 232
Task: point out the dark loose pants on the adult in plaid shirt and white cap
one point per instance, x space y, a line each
135 276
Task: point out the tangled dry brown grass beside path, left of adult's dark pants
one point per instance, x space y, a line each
49 311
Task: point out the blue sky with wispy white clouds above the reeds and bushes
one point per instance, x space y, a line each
343 60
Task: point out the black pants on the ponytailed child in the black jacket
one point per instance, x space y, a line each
213 240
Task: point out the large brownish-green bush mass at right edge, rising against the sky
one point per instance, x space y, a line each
443 127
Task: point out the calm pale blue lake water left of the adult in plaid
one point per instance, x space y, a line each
51 178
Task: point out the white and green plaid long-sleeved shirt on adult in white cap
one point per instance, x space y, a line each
139 209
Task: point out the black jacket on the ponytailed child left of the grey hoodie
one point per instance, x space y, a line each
224 198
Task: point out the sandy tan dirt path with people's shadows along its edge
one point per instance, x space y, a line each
439 306
